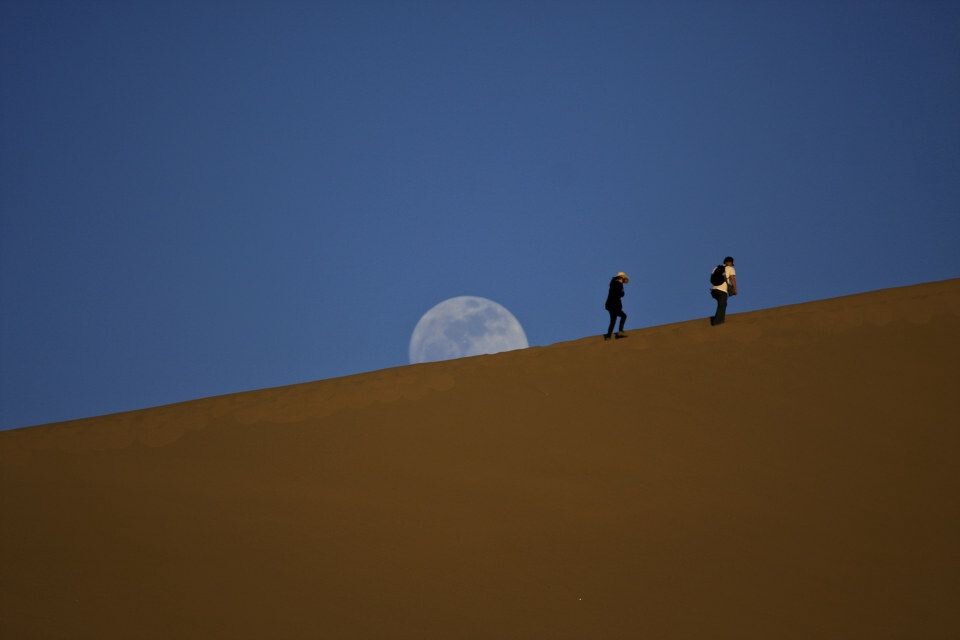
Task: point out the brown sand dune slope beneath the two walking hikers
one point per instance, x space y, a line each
792 474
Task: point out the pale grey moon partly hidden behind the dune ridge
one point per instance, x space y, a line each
465 326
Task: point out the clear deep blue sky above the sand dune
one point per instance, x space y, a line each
199 198
